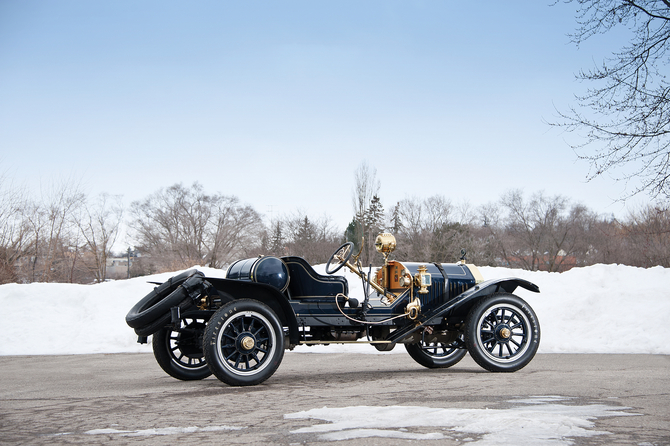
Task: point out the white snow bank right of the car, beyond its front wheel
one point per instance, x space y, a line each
599 309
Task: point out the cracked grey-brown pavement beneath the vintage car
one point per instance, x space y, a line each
120 398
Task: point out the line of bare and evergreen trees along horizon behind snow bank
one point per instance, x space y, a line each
66 236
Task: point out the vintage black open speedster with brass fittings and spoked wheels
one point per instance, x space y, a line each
238 328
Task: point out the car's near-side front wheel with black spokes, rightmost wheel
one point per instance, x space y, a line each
502 333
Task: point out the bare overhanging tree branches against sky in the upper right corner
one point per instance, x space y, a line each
625 114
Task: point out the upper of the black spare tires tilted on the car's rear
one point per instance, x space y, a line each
158 302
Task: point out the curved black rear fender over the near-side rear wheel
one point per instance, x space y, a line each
237 289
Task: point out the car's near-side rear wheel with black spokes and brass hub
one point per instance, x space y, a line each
233 325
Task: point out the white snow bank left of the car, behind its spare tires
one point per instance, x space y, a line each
59 318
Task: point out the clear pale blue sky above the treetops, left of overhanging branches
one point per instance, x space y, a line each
278 102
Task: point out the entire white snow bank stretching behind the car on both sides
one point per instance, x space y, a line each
597 309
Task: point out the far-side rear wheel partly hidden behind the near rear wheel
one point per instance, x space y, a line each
179 353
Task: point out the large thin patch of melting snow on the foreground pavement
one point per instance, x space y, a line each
530 421
